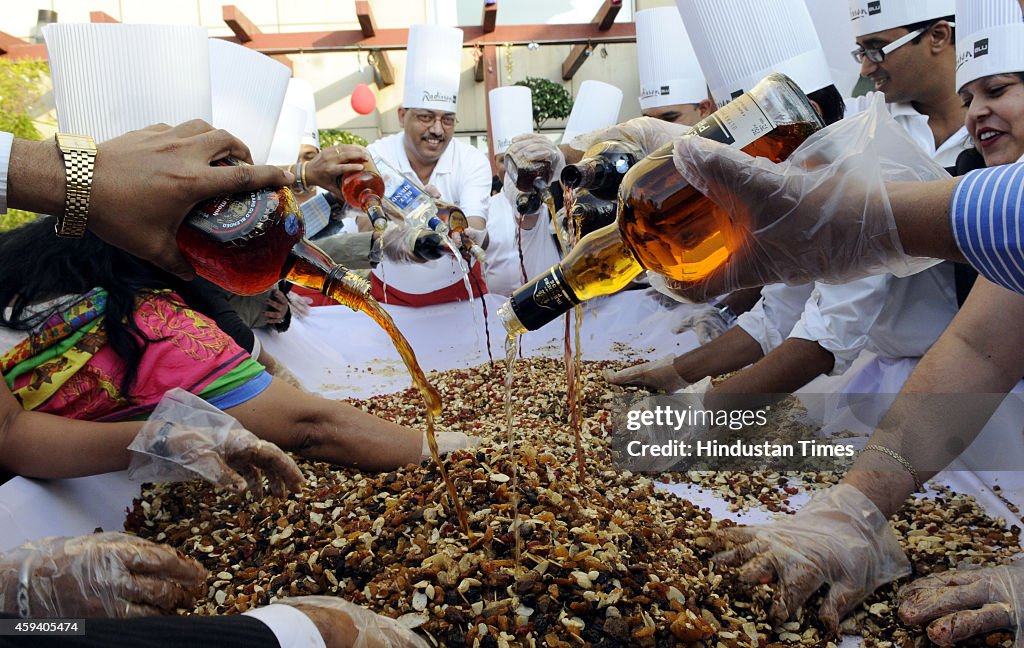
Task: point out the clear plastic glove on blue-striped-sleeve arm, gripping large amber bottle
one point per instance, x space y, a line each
822 214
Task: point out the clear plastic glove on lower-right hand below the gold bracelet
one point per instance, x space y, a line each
840 538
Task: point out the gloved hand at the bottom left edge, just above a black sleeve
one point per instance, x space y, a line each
105 575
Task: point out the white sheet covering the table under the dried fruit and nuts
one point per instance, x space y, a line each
333 351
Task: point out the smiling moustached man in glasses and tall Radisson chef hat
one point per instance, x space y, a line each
425 151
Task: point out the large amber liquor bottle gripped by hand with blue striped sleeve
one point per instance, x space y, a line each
664 225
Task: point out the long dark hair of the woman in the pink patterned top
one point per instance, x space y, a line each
36 266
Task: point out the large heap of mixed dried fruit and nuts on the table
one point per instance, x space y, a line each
609 559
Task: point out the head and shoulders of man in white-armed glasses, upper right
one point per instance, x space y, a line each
908 49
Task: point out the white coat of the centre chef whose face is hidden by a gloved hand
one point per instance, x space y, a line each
502 272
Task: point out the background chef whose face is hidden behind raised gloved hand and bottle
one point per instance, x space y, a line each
511 115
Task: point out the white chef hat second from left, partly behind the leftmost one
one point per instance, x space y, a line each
248 93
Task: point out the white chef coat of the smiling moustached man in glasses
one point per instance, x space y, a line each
463 178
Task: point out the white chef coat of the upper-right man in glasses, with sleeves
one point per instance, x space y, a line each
893 317
